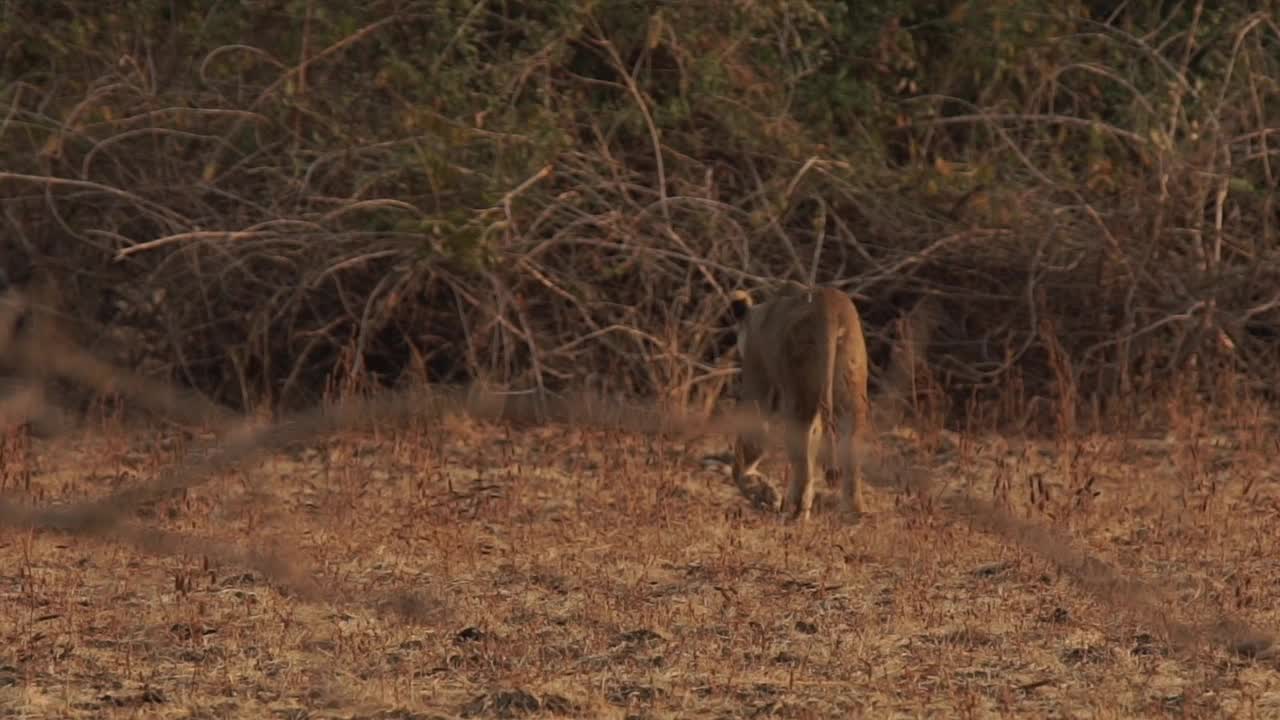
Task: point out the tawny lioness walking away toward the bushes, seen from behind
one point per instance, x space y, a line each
804 362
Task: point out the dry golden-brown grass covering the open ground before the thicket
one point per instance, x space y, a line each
481 571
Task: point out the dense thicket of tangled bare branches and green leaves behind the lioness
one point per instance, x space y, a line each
272 198
